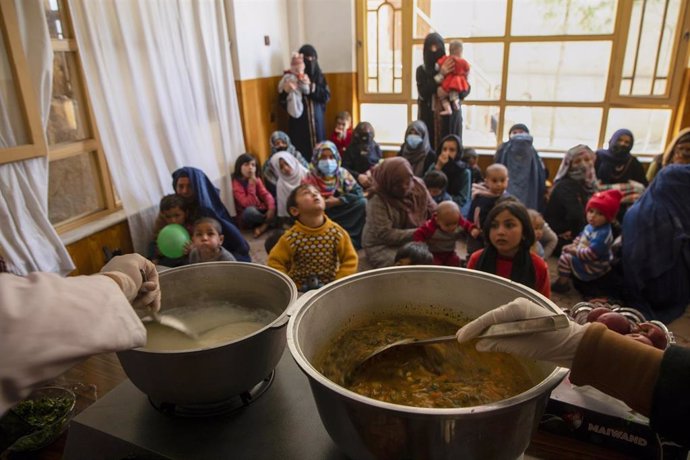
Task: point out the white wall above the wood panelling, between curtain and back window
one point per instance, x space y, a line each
328 25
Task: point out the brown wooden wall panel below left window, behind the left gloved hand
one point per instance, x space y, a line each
87 254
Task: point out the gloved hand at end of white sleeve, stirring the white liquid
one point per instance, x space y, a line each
127 272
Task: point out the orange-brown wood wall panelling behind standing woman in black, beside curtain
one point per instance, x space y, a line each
261 114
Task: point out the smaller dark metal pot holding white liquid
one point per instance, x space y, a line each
210 375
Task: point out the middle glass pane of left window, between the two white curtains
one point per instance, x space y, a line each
67 122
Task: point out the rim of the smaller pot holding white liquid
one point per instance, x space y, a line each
278 323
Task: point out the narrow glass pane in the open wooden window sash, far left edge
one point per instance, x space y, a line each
14 131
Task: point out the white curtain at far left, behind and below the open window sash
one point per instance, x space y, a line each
28 241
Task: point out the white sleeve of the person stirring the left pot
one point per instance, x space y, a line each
49 323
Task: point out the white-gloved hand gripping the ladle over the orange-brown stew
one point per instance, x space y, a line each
557 347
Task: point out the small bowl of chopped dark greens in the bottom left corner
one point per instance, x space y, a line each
40 418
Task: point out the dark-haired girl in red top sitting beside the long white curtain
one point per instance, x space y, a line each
256 208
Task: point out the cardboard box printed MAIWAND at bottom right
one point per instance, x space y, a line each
588 415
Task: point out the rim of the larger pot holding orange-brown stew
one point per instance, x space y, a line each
303 304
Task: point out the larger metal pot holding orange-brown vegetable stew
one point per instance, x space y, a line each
365 428
